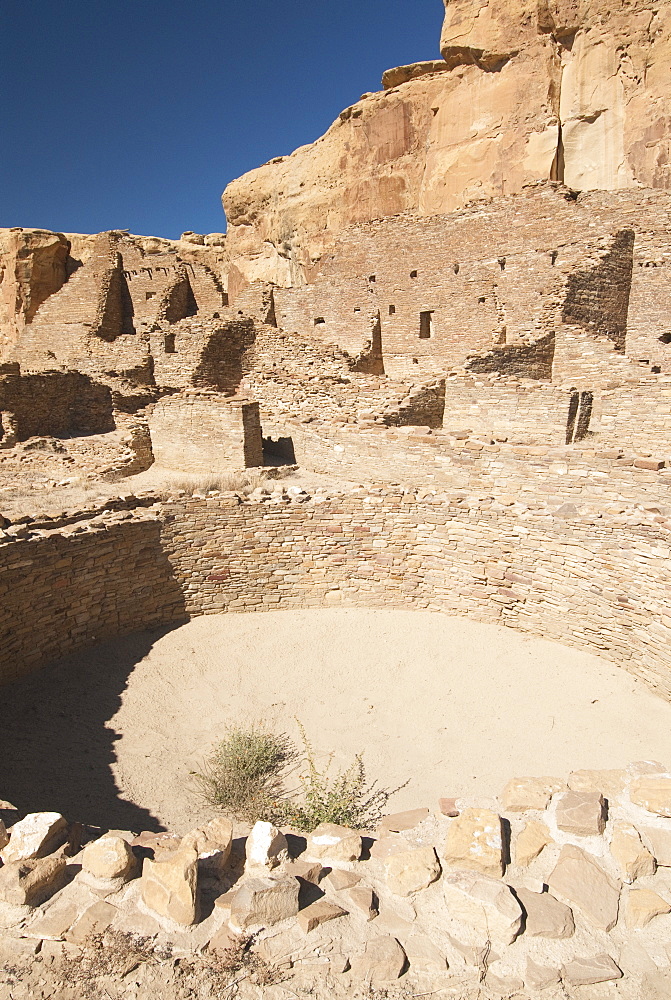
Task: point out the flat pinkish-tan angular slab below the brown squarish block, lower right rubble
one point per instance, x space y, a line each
583 884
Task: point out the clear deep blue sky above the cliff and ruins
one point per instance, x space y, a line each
134 114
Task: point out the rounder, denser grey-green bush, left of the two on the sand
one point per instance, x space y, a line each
244 774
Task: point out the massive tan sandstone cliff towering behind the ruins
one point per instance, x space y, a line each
573 90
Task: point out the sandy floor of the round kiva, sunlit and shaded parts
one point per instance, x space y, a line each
448 705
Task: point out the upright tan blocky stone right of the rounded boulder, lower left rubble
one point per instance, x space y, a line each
169 886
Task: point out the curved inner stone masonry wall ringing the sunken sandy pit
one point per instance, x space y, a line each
602 584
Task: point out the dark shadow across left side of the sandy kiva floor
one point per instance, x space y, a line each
55 749
